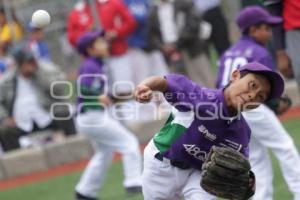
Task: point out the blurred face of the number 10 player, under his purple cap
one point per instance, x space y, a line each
261 33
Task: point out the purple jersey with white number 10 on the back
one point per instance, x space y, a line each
244 51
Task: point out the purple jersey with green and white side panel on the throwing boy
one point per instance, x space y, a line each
198 121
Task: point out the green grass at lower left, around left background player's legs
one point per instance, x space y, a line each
62 188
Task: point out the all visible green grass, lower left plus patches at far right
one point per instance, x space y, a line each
61 188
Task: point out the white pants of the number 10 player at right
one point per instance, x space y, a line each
268 132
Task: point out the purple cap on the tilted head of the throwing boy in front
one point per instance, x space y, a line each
277 82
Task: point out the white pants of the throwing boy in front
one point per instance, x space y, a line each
162 181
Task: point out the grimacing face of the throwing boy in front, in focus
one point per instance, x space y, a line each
247 92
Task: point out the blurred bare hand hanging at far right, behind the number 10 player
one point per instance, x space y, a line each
284 64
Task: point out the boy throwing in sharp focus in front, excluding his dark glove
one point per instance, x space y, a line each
201 118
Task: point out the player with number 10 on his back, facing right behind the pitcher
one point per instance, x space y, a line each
267 131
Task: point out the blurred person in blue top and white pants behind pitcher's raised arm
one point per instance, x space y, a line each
146 60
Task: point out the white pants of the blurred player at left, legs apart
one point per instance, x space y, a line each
108 136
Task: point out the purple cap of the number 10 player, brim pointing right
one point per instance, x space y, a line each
253 15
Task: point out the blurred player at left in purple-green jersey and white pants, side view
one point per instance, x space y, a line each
106 134
